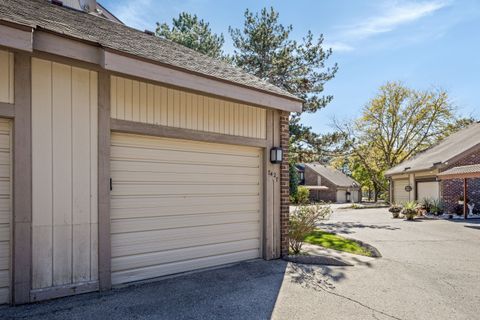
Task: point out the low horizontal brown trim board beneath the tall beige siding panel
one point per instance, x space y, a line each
63 291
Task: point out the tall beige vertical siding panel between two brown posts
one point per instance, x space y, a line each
64 173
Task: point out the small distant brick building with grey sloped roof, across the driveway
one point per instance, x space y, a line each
330 185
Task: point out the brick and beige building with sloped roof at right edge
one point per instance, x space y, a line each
439 172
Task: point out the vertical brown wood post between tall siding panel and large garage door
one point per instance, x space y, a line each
104 242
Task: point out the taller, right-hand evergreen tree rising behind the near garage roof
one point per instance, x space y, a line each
264 48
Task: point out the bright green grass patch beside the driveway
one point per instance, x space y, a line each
336 242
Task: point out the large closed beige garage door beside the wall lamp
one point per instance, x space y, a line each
179 205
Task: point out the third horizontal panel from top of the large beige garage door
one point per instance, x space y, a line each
139 166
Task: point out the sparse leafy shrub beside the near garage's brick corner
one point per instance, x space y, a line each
303 222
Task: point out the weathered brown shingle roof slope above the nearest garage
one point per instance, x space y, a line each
41 14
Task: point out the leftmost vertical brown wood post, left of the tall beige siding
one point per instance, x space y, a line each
22 180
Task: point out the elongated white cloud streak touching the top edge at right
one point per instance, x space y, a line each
393 17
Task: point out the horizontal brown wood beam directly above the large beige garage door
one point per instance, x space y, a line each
179 133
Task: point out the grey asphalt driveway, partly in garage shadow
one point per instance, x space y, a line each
429 270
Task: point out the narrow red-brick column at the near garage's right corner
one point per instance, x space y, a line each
284 183
